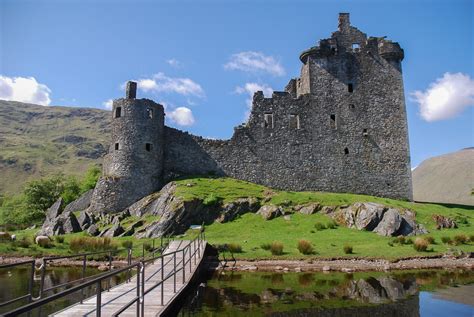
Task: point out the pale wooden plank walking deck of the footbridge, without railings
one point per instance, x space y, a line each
120 295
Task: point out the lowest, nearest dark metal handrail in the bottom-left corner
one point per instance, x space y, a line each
97 281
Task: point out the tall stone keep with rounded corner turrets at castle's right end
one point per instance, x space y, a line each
356 88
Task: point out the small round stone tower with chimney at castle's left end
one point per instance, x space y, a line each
133 166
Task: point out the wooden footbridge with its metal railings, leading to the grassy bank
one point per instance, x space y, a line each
152 291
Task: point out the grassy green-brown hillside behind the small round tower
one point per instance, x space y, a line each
37 141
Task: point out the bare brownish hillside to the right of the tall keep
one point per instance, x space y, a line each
447 178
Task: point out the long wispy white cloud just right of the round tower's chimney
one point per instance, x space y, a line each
162 83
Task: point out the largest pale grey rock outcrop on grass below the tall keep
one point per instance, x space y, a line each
378 218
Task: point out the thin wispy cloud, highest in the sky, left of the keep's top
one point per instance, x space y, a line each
255 62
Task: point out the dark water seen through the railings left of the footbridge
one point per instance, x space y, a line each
14 283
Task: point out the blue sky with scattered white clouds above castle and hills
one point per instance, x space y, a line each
201 58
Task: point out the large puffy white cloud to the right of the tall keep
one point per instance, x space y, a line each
445 98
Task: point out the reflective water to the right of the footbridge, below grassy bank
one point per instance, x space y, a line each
406 293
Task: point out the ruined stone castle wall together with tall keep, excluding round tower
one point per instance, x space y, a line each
347 141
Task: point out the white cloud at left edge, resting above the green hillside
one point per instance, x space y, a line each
24 89
